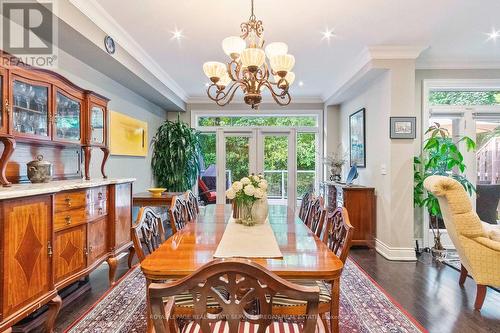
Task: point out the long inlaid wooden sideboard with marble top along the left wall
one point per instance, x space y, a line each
52 235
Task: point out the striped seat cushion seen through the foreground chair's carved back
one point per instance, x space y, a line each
246 327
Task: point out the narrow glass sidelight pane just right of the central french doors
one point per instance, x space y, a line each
306 163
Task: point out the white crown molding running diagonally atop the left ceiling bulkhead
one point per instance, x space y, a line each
108 24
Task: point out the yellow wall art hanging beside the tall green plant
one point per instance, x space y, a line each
128 136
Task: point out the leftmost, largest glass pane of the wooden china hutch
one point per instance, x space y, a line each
30 108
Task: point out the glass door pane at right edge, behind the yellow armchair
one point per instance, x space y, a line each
488 170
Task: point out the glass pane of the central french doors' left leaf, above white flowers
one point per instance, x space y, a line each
237 158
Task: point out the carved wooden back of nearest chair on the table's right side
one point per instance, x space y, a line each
338 233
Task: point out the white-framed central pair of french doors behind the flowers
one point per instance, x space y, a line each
271 152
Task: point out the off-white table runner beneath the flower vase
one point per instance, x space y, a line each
240 241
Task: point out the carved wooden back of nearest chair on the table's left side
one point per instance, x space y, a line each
147 232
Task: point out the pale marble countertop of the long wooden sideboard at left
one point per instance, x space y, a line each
25 190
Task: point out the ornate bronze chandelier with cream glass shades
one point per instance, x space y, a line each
248 69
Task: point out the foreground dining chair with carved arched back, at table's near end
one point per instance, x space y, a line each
246 285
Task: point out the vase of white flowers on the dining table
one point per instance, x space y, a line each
244 195
